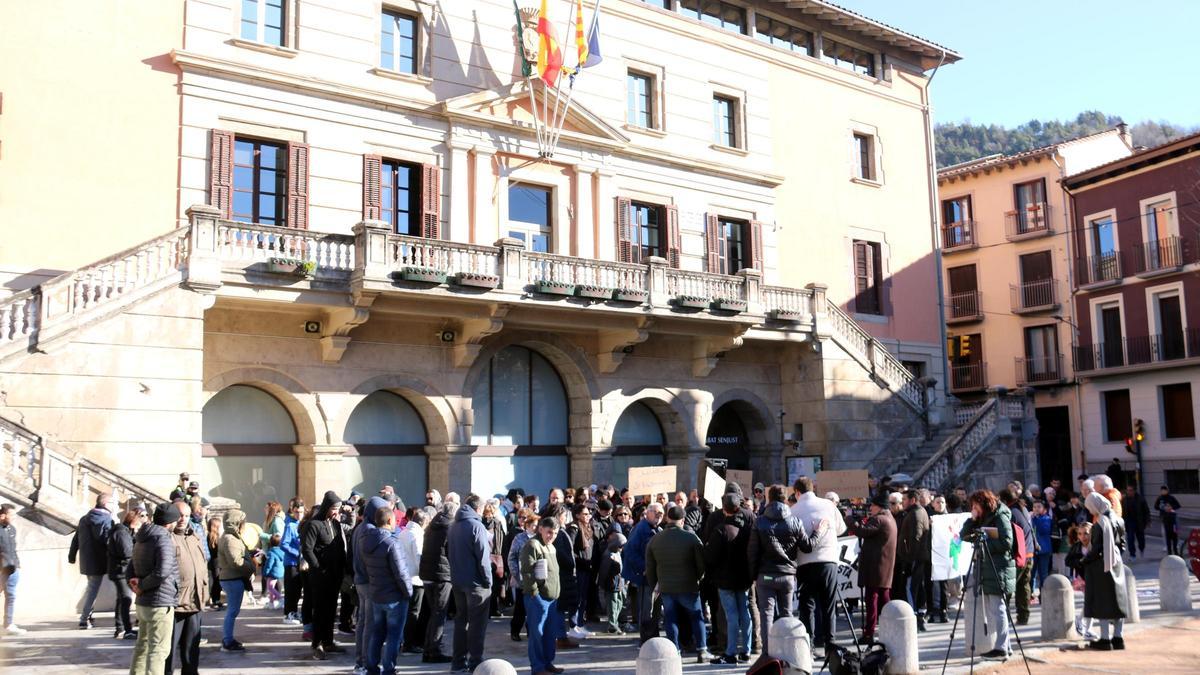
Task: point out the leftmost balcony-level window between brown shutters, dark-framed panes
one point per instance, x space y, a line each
260 182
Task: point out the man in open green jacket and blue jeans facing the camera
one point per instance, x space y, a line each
541 588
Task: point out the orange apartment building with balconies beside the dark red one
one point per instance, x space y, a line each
1006 258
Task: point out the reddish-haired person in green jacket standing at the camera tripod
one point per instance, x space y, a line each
997 574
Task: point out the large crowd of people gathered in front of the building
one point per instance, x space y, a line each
711 577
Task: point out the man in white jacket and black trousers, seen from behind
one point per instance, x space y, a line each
818 571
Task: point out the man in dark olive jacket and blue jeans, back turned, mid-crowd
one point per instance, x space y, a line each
675 563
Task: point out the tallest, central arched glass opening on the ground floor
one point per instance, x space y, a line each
520 425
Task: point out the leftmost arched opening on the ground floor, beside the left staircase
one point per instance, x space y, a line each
248 453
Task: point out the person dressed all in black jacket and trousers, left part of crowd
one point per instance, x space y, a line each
325 549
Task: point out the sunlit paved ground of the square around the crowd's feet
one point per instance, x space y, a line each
56 647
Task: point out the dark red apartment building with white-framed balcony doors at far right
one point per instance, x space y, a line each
1137 250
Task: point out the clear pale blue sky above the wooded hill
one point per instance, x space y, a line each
1052 59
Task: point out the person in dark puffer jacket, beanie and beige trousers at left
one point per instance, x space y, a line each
155 582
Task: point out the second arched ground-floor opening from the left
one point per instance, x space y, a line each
387 444
